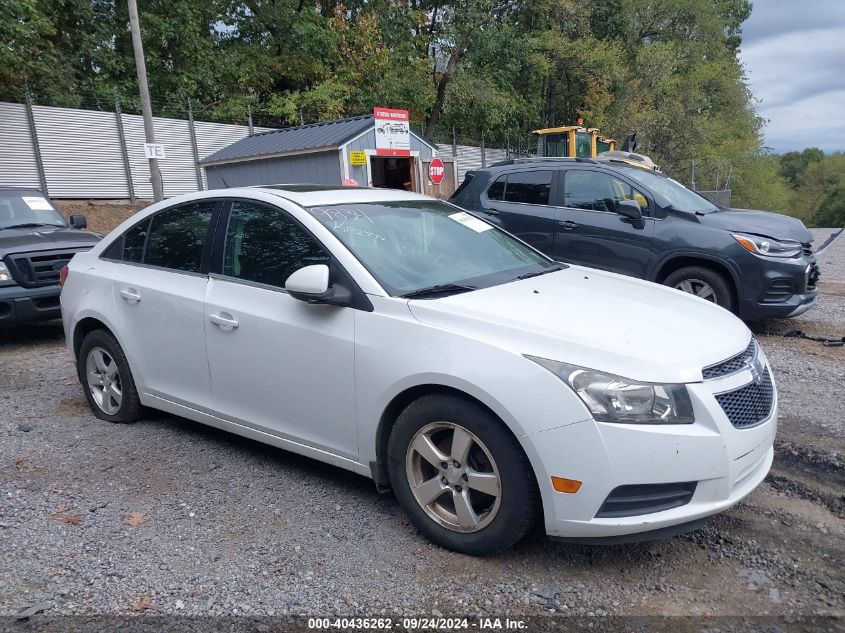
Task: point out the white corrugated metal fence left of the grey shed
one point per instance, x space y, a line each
92 154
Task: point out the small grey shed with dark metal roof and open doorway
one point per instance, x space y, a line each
319 153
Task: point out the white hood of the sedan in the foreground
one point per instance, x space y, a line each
595 319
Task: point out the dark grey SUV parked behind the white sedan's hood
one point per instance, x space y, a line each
626 219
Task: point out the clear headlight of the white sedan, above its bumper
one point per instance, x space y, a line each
615 399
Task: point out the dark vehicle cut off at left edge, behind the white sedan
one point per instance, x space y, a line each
35 243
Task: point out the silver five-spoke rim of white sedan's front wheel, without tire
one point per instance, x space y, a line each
453 477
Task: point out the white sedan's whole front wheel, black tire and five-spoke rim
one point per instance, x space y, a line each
461 477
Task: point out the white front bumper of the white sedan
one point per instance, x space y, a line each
726 463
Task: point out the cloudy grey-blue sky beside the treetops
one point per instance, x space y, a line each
794 55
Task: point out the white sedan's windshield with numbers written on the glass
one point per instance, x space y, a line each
409 246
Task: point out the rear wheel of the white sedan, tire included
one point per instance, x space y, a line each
106 378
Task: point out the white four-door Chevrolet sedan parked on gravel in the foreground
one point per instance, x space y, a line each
408 341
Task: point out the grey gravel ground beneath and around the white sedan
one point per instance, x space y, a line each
169 517
